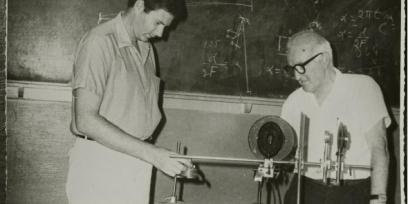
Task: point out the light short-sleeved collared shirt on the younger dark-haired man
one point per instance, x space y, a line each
108 65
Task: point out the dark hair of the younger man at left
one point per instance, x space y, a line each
174 7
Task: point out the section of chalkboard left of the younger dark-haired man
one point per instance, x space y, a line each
43 34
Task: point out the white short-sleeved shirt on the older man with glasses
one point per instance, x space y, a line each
357 102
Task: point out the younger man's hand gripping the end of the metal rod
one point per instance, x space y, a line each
168 165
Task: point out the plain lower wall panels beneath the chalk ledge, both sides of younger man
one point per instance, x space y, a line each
39 140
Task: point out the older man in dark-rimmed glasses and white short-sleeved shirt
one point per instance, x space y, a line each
330 98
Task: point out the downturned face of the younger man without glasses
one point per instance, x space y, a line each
153 24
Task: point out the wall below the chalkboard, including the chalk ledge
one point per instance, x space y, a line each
39 139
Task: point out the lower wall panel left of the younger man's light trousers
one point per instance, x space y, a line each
38 143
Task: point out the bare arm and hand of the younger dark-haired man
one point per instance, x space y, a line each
90 123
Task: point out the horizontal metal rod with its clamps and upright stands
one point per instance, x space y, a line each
266 168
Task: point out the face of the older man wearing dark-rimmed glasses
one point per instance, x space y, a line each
314 76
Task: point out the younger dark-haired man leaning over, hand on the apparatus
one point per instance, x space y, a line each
115 108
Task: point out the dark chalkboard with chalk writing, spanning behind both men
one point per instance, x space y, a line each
234 47
